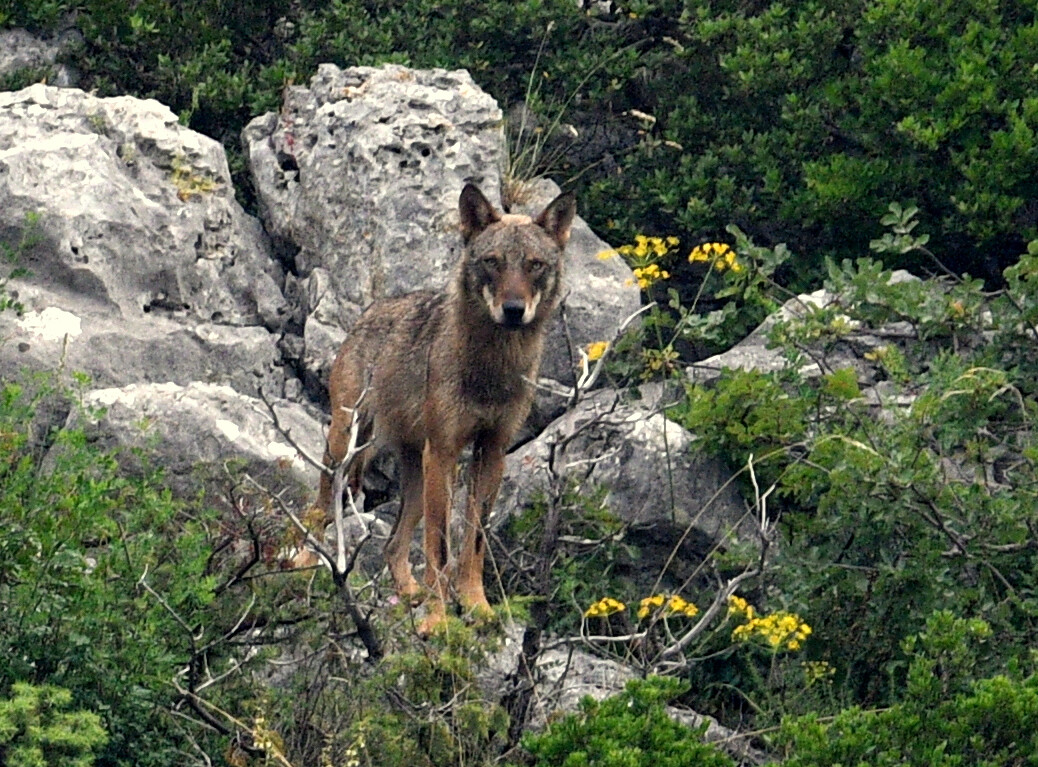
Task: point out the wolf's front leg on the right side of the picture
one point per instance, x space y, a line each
488 467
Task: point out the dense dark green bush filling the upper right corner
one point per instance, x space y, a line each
801 122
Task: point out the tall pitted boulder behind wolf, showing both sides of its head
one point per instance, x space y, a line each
359 179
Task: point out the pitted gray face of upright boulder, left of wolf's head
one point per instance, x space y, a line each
362 173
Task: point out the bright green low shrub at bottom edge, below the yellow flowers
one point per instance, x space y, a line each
630 730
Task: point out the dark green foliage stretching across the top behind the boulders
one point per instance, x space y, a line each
799 123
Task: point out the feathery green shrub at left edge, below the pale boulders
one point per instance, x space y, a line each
108 587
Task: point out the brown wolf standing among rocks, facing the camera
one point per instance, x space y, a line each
431 373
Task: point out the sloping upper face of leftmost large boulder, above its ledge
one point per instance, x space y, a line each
136 213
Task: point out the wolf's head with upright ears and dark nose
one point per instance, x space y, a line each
513 264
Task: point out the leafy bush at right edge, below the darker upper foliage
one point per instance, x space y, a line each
917 499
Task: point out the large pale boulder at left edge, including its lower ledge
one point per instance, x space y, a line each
141 265
